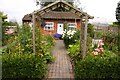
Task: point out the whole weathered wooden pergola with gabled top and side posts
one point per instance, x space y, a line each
58 4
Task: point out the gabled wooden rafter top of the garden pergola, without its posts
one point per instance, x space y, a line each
62 4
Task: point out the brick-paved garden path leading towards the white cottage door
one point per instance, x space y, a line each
61 68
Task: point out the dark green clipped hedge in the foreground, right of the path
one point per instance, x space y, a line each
103 66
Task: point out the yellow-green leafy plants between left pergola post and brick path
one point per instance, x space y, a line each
45 48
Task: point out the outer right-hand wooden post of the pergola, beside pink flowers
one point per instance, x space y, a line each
85 37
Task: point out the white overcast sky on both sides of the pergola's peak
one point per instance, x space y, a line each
102 10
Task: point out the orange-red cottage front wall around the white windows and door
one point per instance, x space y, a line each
52 32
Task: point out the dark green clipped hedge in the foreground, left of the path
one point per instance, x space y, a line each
23 66
